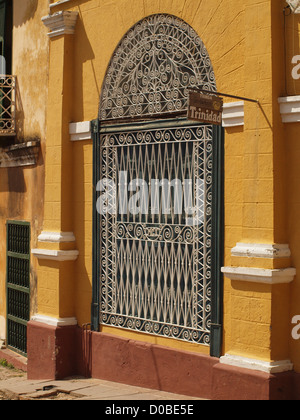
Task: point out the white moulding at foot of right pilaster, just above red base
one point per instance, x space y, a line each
260 365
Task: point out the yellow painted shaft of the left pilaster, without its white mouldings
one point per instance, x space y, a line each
56 279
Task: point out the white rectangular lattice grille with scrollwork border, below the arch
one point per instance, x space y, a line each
155 267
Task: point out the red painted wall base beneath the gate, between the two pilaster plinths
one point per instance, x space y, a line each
151 366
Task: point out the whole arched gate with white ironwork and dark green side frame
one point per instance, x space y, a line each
158 242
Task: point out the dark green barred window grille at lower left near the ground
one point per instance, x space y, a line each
18 285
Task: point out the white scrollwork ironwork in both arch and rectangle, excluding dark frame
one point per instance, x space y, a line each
155 268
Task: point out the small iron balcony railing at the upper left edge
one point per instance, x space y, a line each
7 105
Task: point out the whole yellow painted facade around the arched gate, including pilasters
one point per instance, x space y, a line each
245 42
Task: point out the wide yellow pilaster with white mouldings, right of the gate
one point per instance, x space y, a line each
258 269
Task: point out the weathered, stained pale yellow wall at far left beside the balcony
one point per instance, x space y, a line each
22 189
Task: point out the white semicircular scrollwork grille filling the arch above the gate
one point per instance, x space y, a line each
152 68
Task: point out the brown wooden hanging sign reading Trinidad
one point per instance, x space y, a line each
205 108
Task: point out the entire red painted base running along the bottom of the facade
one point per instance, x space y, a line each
55 353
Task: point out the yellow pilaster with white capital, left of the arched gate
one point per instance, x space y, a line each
56 250
